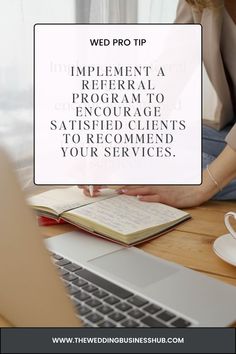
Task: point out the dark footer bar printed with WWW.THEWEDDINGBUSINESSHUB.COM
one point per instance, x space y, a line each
117 340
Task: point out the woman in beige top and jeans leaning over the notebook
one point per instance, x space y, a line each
218 19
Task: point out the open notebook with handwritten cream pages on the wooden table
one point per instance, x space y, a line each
118 217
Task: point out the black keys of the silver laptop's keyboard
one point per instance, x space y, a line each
101 303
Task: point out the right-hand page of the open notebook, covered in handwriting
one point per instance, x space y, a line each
126 214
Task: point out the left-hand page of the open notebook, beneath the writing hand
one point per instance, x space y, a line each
63 199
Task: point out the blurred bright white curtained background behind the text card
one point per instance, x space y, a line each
17 18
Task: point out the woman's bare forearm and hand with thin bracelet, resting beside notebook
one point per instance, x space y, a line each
221 171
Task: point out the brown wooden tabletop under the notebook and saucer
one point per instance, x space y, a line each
189 244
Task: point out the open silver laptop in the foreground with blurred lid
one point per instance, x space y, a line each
79 279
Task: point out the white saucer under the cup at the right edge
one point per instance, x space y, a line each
225 248
